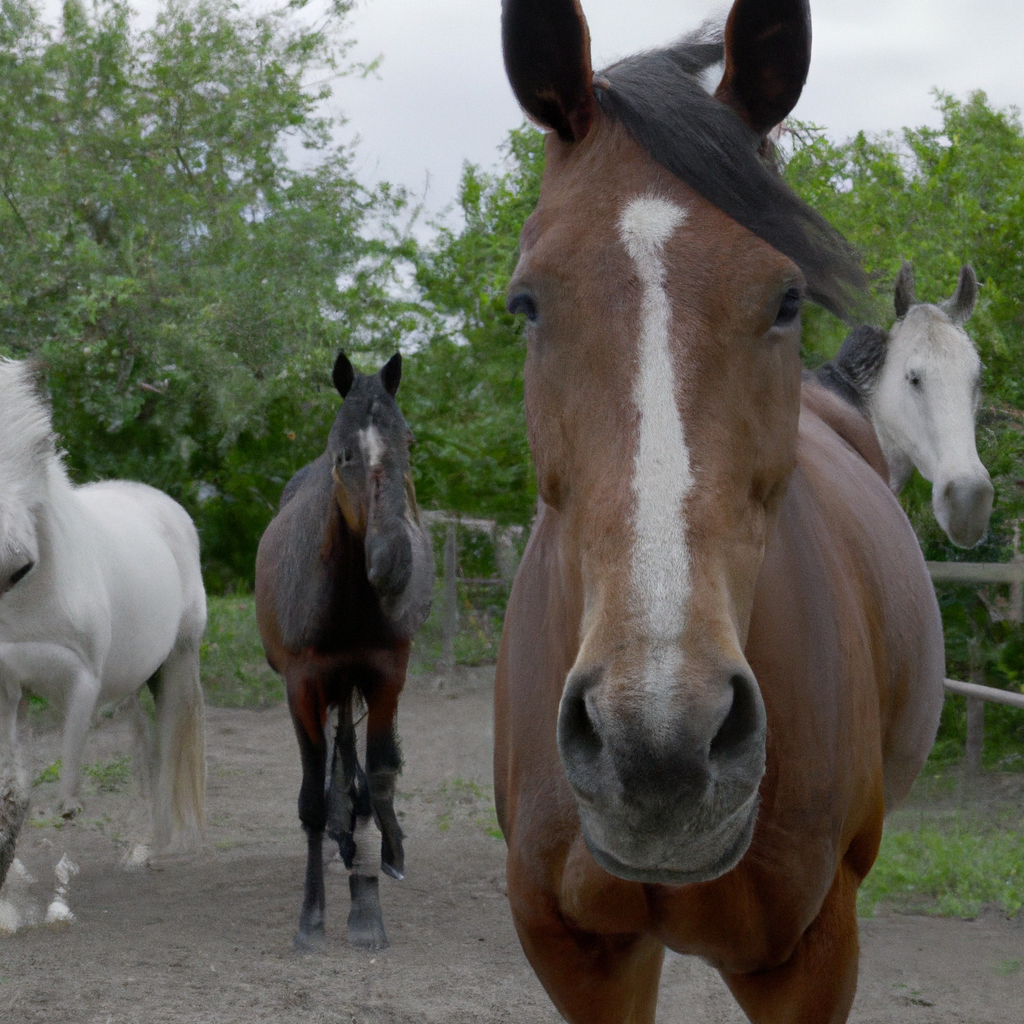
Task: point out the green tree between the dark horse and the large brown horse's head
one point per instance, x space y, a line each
464 395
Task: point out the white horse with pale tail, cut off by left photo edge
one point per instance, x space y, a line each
101 592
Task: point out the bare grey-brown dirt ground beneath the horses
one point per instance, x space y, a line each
210 941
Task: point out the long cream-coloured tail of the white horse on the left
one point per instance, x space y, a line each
179 797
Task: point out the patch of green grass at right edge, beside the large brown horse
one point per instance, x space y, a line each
950 869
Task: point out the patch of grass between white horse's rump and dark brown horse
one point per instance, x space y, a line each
234 666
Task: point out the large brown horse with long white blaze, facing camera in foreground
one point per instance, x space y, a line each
722 660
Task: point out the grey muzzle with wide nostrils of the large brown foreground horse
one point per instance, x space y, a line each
670 799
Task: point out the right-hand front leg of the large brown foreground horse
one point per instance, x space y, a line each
819 982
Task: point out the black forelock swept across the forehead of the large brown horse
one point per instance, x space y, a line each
659 98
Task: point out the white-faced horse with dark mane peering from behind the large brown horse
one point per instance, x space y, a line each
920 385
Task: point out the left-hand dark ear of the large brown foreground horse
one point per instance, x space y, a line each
547 60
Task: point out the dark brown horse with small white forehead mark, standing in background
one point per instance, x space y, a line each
345 578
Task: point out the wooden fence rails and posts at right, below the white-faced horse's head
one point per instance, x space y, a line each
983 574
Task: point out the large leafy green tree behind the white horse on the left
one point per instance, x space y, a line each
185 286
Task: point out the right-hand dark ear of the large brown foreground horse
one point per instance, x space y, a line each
767 54
